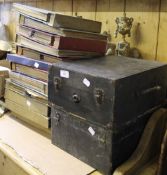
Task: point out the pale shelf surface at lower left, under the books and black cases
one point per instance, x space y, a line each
23 151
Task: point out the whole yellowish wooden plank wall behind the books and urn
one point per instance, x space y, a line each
149 31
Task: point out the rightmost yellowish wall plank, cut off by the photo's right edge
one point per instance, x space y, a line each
162 37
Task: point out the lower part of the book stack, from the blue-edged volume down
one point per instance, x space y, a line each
26 92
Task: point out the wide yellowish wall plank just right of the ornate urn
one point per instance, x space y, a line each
145 26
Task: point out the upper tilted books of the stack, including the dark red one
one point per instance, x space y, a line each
58 35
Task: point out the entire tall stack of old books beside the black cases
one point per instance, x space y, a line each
42 38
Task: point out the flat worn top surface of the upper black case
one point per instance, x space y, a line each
111 67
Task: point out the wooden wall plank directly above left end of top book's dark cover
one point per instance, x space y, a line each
63 6
